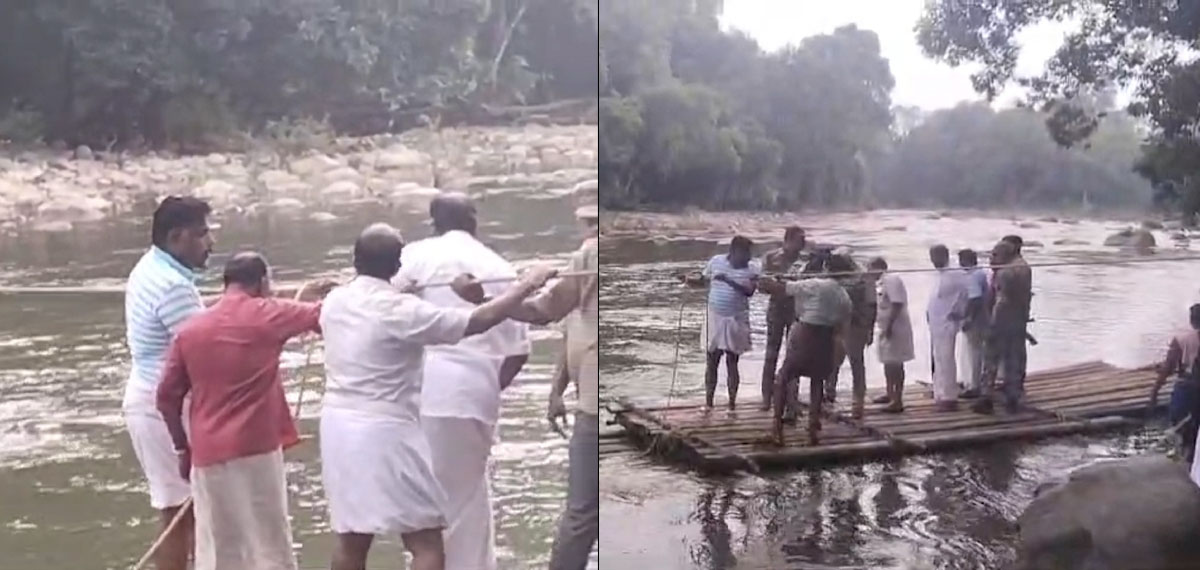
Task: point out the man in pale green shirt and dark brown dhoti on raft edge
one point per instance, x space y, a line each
823 313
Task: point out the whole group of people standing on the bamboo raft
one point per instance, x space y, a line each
833 310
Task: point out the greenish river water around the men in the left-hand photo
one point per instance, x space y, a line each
71 494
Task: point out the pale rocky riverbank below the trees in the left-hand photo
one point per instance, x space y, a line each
51 190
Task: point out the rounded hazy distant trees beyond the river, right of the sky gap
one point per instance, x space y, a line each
973 157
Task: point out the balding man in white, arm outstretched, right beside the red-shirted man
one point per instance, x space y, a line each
376 461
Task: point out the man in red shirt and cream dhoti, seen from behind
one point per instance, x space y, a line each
229 359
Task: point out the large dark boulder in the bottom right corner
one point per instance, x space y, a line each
1137 514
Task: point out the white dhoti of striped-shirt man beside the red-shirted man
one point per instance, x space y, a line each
155 451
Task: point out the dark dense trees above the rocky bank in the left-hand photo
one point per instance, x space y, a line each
119 71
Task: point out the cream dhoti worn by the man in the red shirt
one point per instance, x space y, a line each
242 515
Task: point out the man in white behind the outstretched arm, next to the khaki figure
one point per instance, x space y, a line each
461 395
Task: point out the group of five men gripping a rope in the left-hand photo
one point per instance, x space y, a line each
415 370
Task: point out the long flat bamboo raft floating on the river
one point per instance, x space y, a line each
1082 399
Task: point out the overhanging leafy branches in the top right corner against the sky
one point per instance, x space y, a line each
1148 47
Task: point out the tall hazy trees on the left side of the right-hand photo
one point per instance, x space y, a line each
694 116
